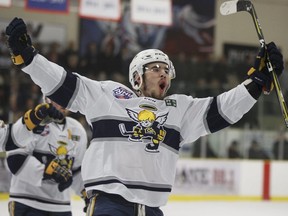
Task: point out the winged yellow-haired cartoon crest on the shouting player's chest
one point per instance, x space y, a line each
149 128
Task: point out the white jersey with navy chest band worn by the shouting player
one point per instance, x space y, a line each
136 140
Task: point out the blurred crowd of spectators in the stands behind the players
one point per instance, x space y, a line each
196 76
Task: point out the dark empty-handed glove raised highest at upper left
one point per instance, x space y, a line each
19 43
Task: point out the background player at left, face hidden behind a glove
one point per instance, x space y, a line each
44 153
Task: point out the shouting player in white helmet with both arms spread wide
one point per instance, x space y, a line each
129 167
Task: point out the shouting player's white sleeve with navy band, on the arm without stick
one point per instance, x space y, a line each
70 90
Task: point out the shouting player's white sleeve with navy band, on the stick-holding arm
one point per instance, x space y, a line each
208 115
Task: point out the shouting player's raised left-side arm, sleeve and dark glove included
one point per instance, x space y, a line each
70 90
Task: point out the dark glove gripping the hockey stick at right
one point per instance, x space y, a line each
260 74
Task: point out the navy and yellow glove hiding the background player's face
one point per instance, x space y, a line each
42 114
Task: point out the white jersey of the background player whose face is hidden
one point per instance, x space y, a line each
27 154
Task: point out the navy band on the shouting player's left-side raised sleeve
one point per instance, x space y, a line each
65 92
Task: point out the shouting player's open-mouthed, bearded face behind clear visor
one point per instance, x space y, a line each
156 80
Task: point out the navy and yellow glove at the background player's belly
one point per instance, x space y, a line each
59 174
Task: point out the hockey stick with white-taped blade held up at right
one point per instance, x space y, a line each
234 6
